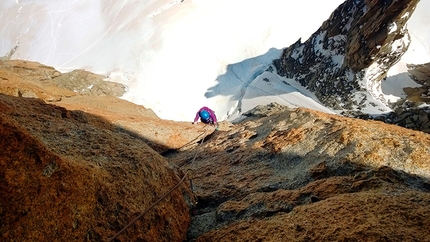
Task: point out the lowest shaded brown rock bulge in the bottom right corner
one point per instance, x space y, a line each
360 217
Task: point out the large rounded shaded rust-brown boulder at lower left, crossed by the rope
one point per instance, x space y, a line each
72 176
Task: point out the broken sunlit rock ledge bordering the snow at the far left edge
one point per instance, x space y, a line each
44 82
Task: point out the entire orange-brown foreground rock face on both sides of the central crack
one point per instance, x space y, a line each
88 166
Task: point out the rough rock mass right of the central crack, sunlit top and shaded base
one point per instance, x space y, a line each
299 175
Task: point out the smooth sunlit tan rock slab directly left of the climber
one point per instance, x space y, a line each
161 135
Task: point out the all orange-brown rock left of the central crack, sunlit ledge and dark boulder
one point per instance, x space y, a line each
83 175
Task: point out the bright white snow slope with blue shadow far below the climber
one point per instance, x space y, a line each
176 56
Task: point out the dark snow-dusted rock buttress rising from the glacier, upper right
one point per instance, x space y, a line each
344 61
